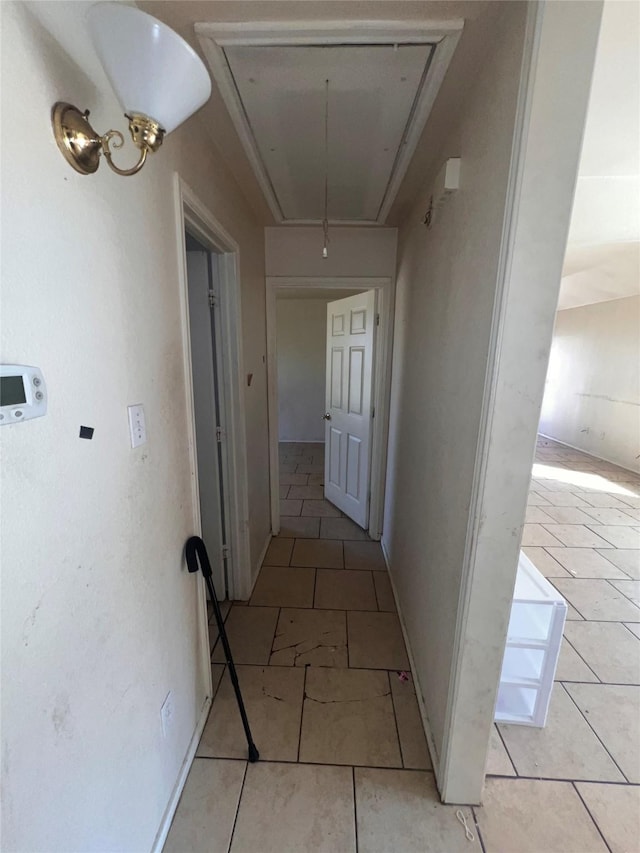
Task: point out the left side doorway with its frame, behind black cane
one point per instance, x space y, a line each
212 344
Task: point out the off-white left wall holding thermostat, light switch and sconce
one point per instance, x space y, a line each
98 612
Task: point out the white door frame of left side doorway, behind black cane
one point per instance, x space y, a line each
191 214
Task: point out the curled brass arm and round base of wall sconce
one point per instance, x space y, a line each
82 146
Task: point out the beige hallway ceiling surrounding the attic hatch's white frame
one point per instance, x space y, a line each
183 15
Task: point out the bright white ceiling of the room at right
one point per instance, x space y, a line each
602 261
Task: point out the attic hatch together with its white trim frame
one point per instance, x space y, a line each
329 114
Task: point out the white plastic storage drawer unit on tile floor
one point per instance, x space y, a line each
538 612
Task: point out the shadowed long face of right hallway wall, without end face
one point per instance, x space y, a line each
445 292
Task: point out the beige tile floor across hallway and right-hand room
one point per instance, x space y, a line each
344 764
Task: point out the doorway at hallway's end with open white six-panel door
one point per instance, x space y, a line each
328 380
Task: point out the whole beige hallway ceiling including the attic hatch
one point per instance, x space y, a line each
355 191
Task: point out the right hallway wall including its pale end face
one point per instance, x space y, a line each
476 304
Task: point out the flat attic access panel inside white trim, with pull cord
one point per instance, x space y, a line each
373 94
